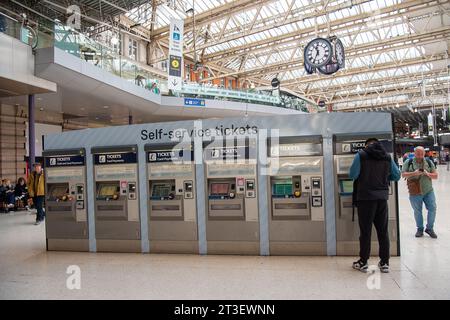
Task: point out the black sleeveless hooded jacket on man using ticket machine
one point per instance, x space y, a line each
373 180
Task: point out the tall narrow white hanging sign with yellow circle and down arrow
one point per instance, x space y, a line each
175 54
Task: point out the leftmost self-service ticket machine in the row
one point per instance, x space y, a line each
65 200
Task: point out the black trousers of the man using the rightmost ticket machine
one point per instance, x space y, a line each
373 212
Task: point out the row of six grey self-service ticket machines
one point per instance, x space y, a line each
295 198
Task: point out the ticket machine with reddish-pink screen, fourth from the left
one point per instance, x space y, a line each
232 225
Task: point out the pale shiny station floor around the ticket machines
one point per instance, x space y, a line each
27 271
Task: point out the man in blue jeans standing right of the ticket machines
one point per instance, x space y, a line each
419 172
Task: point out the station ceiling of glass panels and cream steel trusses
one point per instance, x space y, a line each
397 51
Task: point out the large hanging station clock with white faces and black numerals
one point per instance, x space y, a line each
324 55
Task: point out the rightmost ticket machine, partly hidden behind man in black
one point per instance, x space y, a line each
347 228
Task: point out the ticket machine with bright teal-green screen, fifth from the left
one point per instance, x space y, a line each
296 197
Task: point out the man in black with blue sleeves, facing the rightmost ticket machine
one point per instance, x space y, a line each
372 169
